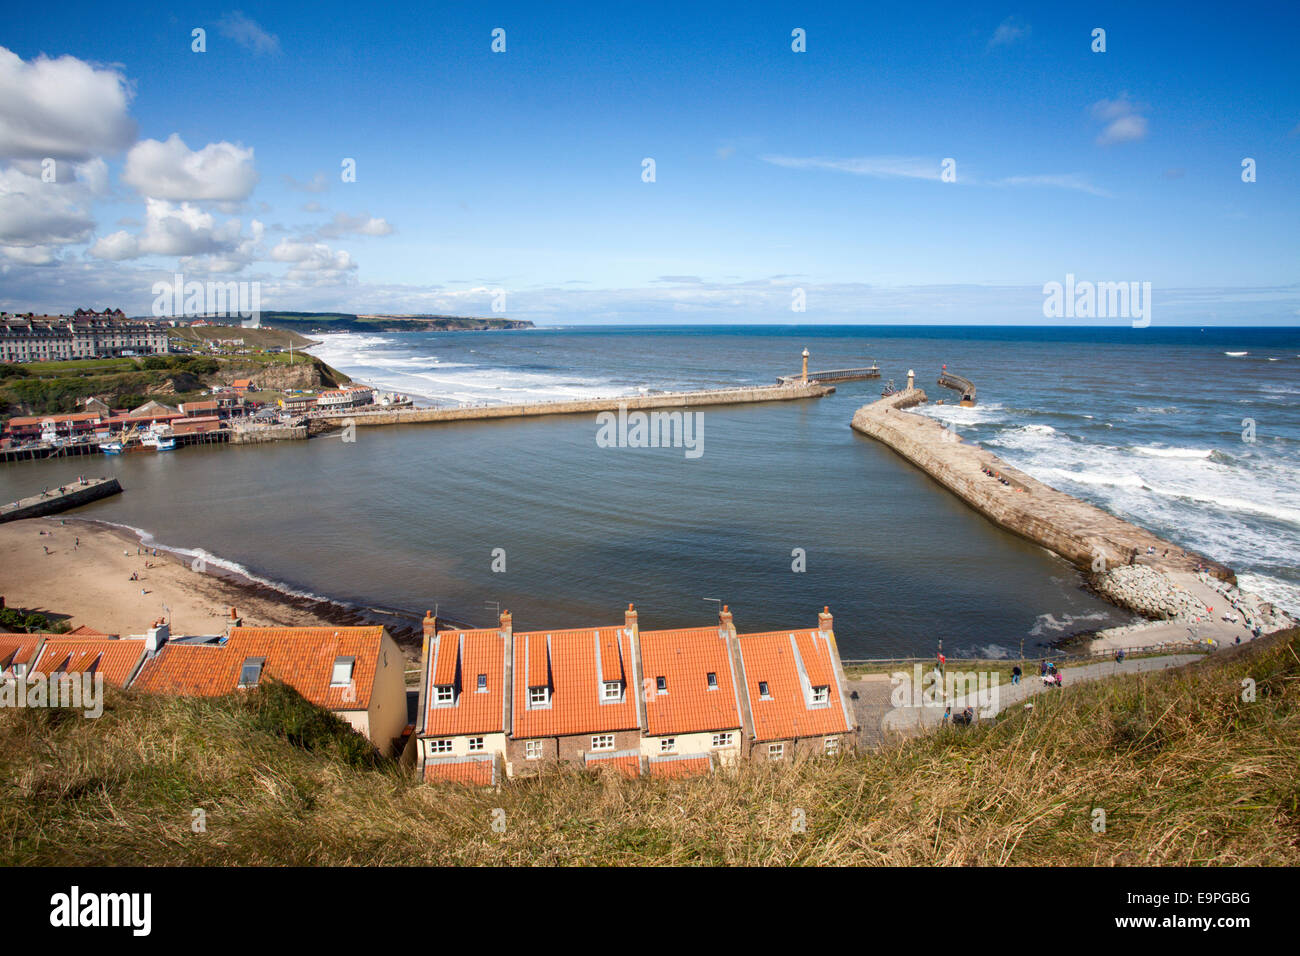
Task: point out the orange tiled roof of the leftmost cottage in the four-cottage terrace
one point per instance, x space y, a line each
474 712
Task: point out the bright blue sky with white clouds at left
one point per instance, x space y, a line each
775 171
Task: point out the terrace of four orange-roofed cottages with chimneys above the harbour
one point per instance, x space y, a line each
499 704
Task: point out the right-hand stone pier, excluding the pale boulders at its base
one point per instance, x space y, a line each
1091 539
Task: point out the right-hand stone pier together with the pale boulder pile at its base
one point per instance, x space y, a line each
1129 566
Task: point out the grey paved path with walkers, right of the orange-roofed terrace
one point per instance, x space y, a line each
881 723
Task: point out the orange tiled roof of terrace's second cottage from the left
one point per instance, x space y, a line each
575 682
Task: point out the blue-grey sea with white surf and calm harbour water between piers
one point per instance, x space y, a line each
1194 434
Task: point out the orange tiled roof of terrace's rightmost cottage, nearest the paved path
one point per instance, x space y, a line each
772 657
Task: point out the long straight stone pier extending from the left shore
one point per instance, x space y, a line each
668 400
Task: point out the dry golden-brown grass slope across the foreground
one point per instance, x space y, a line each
1186 772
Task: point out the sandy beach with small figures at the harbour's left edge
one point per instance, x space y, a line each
84 573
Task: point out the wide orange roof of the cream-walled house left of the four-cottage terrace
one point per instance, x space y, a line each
302 657
